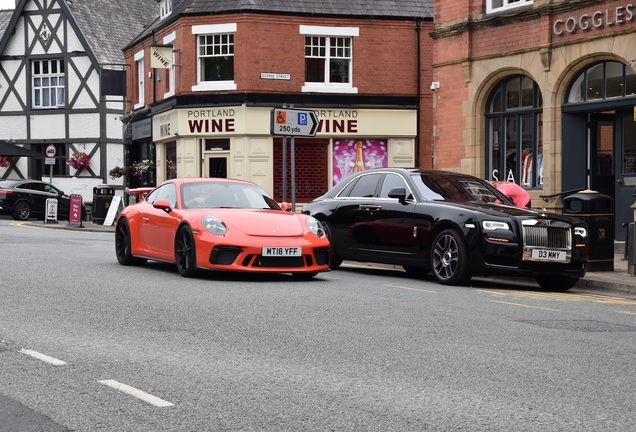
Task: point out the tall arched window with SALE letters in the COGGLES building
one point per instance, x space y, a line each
514 150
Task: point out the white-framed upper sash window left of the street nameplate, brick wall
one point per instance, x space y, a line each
215 57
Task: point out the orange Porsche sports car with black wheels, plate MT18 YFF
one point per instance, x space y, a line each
219 224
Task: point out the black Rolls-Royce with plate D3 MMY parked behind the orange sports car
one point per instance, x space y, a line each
453 225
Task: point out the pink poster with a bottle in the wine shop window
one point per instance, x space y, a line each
355 155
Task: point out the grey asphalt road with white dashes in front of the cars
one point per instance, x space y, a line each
143 349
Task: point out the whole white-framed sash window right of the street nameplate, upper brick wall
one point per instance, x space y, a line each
329 59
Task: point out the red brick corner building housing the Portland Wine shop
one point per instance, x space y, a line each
206 109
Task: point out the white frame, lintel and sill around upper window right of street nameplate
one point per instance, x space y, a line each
331 32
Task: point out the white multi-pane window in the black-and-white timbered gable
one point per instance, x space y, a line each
49 83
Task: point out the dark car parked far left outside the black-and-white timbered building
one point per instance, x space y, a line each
25 199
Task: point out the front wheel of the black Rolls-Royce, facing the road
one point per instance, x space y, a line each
449 259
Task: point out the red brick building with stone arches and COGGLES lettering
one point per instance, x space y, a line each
539 92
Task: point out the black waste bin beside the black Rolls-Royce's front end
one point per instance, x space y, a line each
597 210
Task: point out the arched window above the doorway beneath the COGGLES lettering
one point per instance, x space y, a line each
602 81
